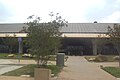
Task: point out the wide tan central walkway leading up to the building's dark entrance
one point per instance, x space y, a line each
77 68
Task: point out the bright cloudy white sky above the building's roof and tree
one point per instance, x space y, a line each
73 11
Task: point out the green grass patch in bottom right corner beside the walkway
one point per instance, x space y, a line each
115 71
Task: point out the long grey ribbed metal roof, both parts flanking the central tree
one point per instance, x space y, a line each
71 28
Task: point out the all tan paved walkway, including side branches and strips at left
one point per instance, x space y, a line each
77 68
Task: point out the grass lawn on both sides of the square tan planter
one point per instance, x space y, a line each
29 70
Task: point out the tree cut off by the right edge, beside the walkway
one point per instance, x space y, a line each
114 34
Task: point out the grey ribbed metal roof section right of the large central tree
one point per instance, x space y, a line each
87 27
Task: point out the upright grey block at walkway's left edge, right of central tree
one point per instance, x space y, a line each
60 59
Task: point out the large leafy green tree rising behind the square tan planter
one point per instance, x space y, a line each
44 38
